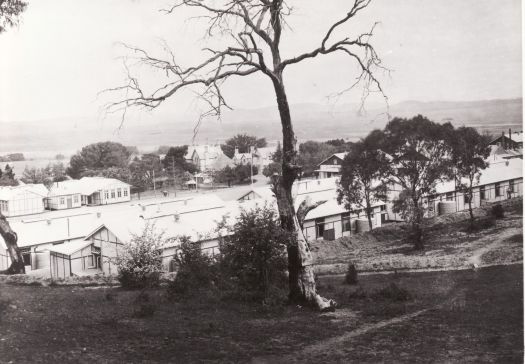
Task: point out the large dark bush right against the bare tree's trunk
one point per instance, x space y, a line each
253 256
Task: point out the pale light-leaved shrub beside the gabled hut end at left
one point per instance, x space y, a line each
140 261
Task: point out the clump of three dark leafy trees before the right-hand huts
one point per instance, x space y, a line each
411 156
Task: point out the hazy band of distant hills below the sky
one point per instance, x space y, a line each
311 121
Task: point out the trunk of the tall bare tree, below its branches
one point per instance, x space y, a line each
300 264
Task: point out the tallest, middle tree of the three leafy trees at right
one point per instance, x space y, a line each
420 154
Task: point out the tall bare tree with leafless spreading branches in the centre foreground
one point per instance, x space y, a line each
254 28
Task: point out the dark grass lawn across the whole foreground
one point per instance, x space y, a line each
473 316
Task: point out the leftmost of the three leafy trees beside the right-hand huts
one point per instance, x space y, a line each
362 177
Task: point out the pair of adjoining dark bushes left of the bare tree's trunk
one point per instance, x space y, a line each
251 265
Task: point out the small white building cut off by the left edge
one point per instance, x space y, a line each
24 199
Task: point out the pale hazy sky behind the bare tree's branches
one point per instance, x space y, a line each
64 52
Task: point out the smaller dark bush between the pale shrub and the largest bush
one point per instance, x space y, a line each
196 271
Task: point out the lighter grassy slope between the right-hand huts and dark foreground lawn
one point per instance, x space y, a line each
448 244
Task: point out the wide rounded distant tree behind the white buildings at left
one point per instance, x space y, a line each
96 157
